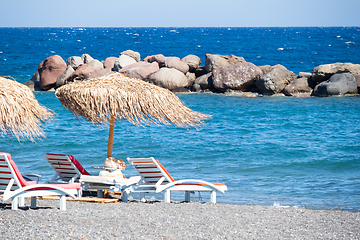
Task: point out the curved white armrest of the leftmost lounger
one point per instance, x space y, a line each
9 194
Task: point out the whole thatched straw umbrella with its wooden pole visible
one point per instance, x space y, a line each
115 97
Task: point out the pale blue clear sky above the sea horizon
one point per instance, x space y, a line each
184 13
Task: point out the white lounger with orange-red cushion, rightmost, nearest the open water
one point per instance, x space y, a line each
155 178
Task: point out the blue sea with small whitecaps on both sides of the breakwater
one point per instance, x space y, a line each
269 151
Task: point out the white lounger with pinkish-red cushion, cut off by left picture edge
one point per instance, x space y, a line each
14 186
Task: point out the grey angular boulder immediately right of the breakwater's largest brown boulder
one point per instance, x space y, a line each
275 81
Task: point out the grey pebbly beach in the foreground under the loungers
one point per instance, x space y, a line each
158 220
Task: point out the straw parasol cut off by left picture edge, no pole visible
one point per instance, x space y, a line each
20 113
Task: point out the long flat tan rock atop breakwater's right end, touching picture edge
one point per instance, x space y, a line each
324 72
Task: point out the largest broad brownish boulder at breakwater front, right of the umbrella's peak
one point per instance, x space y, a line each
240 76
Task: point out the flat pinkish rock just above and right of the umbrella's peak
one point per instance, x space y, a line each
140 70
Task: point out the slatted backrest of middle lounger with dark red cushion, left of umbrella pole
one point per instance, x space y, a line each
67 168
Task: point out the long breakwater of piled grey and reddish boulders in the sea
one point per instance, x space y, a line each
220 74
